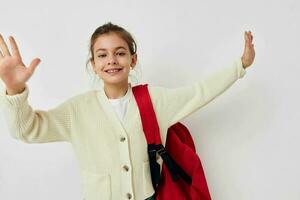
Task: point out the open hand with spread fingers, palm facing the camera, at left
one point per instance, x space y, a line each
13 72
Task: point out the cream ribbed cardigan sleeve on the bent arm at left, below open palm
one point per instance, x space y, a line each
35 126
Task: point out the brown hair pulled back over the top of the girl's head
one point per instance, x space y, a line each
111 28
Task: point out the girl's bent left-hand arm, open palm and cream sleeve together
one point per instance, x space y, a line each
26 124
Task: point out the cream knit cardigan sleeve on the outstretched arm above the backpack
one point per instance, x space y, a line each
183 101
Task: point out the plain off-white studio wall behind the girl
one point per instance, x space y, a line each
248 138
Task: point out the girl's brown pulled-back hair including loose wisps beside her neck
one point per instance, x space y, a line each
121 32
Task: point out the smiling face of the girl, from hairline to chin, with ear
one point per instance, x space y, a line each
112 59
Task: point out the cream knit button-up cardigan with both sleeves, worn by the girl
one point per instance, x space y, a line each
112 156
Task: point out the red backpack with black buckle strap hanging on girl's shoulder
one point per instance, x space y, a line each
182 176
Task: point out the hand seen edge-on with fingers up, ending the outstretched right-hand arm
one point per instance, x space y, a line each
249 52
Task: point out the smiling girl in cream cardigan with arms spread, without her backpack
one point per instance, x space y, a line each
104 126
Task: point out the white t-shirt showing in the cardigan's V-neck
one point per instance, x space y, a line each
120 105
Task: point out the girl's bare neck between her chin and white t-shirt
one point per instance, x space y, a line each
115 91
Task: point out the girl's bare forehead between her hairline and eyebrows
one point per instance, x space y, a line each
109 41
